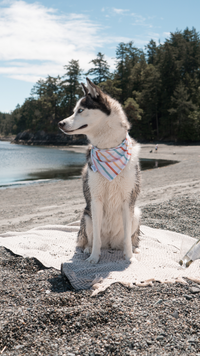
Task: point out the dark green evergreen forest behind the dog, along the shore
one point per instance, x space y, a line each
158 87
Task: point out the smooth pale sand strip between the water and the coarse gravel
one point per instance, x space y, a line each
62 202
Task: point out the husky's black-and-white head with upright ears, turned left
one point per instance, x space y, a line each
88 112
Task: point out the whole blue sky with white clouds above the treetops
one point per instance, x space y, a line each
37 38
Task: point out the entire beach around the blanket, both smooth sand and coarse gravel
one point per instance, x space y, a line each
40 313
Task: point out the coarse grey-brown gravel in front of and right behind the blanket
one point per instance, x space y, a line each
42 315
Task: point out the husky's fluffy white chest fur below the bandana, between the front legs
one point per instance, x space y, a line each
113 193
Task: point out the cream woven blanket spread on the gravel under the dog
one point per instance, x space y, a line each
55 246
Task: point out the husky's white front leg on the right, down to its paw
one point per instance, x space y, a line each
127 231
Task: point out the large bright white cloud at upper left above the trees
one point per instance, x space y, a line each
36 41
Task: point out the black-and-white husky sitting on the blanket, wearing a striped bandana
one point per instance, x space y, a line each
110 218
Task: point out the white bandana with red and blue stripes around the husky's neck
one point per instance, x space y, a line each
110 162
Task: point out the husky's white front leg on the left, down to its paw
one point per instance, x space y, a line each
97 212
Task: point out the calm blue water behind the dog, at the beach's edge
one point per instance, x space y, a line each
29 164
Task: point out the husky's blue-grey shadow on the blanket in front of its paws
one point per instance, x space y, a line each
82 274
